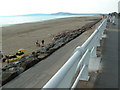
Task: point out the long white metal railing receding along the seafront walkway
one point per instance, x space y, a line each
77 63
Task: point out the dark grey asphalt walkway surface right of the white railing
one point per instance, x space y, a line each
109 76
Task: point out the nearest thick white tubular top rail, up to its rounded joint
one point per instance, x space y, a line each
55 80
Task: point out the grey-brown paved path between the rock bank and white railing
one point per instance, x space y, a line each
38 75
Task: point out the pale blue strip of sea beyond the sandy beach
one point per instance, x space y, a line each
11 20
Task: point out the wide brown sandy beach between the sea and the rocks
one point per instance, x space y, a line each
25 35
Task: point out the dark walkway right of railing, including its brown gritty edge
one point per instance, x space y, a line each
107 77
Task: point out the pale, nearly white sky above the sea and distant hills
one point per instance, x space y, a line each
20 7
